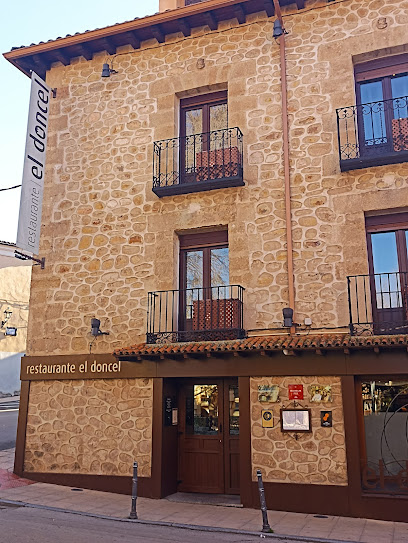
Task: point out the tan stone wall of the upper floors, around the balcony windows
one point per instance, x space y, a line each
108 239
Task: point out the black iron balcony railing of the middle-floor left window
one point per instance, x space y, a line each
195 314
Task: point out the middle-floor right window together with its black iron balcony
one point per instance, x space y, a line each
379 301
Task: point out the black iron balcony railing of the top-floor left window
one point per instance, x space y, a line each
199 162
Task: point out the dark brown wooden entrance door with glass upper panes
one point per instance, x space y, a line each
209 437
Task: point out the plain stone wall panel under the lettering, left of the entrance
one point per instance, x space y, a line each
93 426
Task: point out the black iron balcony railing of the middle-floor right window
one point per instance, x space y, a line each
378 303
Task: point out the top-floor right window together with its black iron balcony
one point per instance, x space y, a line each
375 131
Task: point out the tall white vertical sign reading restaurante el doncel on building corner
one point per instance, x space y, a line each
29 221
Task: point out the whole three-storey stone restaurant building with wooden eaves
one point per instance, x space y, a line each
165 204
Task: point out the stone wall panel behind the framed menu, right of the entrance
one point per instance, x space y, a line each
315 458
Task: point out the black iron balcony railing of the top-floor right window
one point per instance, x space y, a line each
373 134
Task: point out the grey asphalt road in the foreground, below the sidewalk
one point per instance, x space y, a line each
27 525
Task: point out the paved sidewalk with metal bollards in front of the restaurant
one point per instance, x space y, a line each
117 506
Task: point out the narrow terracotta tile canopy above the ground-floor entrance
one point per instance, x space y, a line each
267 343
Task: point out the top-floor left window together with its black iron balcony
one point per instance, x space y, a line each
206 156
